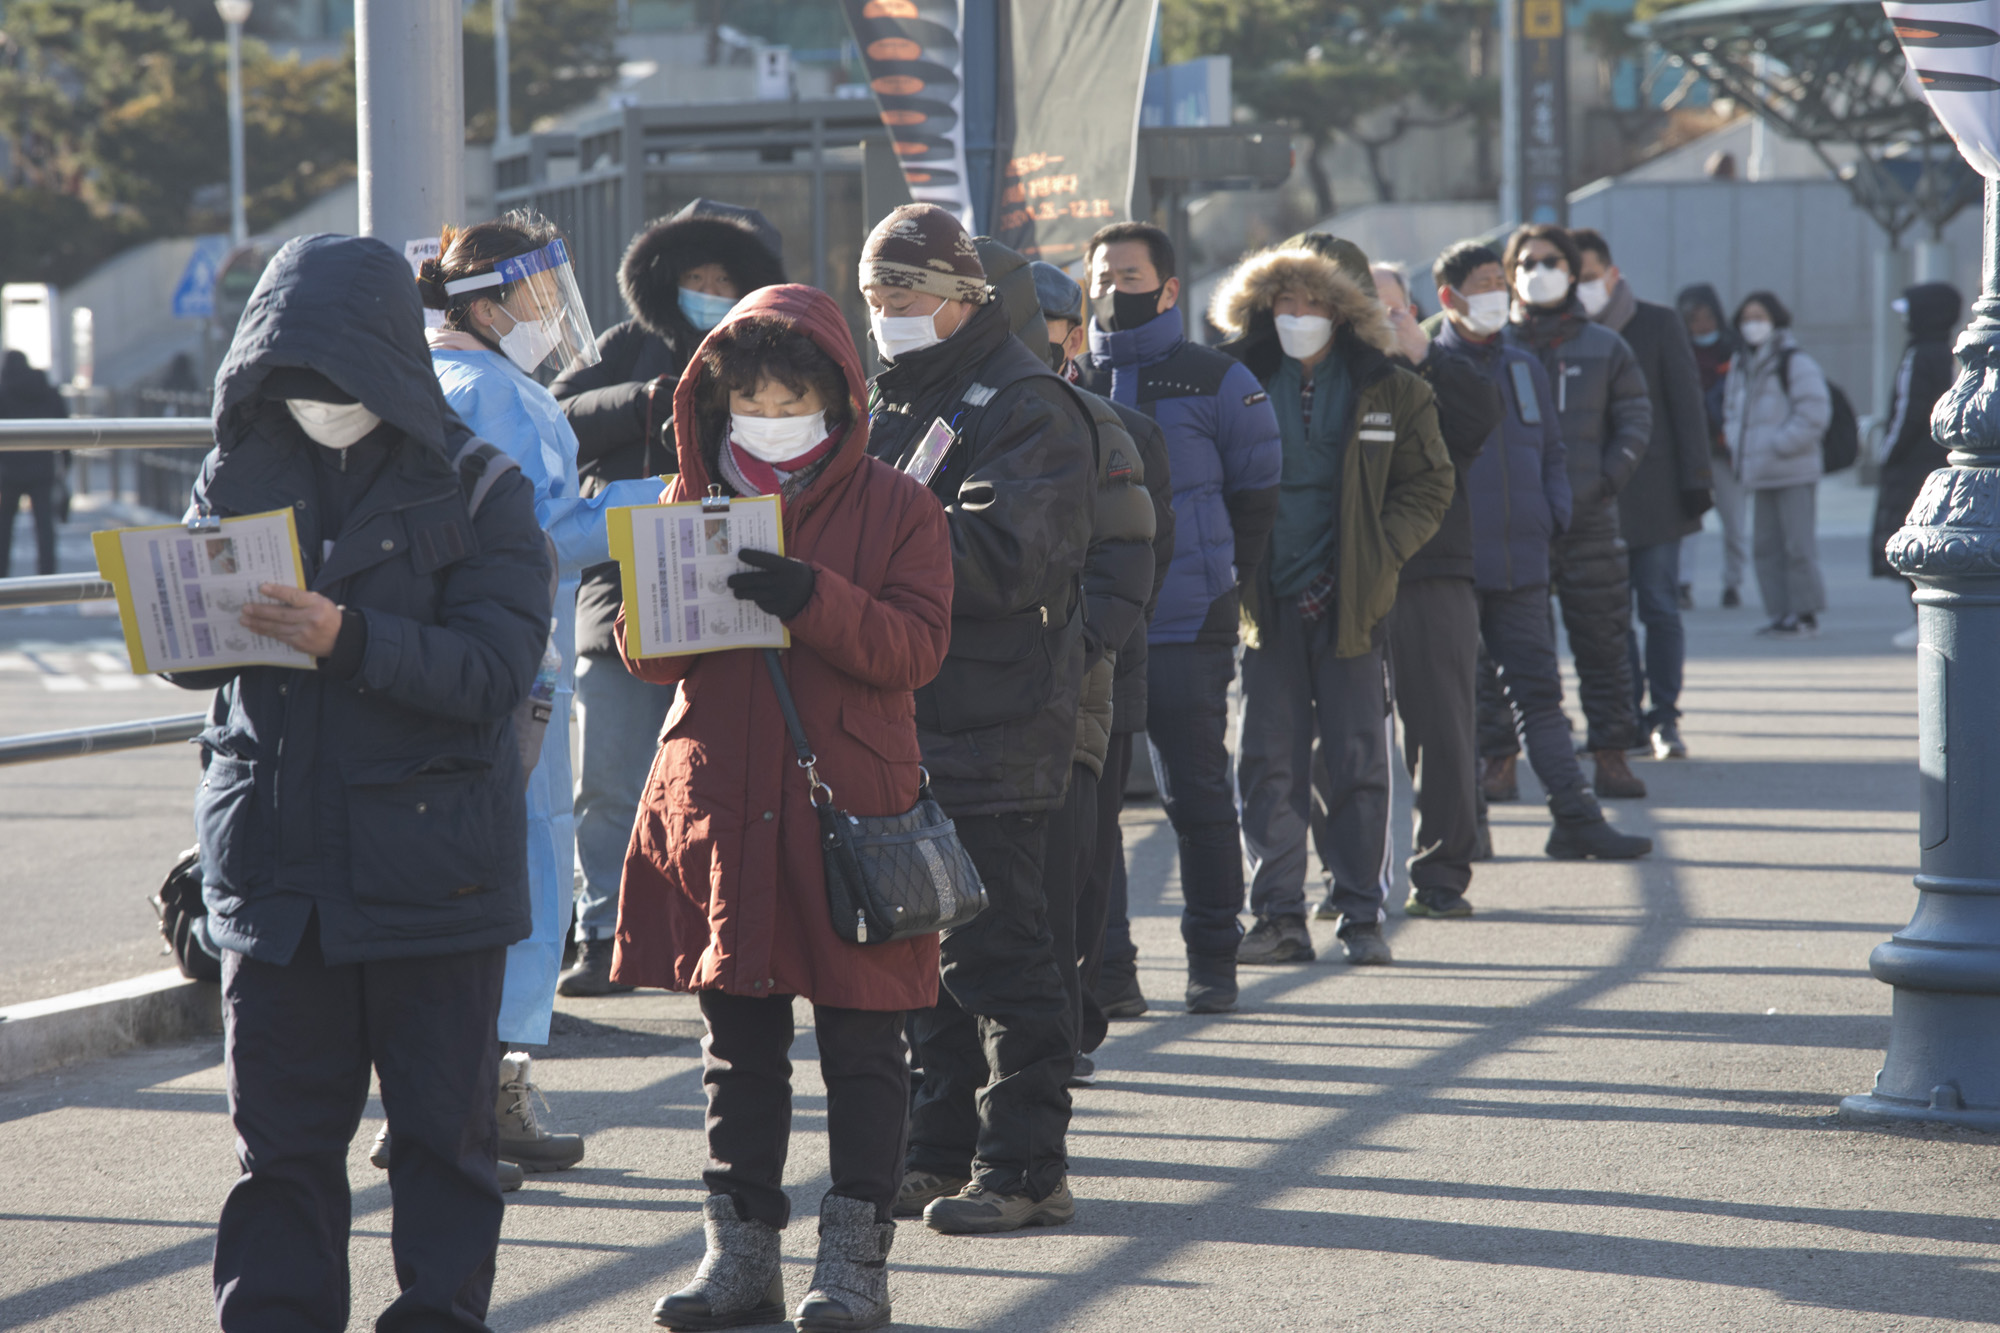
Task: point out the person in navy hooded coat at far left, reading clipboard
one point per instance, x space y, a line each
363 830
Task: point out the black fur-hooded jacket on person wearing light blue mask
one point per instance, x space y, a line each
623 423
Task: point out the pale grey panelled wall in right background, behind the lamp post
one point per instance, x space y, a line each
1805 241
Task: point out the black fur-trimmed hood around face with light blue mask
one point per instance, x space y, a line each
649 279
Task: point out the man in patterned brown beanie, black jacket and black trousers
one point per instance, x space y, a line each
1007 449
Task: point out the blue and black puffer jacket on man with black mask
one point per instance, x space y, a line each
1225 457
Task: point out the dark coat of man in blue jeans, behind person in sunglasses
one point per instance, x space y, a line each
1671 485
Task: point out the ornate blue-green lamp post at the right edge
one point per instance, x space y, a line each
1943 1062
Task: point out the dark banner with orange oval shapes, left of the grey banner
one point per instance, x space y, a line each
917 69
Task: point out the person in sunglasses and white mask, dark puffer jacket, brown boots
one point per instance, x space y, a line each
1607 423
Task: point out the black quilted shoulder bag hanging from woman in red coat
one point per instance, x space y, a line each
887 876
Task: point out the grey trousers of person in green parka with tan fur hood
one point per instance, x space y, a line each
1297 692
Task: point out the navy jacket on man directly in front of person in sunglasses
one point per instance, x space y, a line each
1519 485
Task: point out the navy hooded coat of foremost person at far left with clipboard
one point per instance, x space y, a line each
387 804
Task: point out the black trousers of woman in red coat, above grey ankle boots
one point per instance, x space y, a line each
747 1070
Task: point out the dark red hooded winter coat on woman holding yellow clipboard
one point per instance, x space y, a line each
725 886
